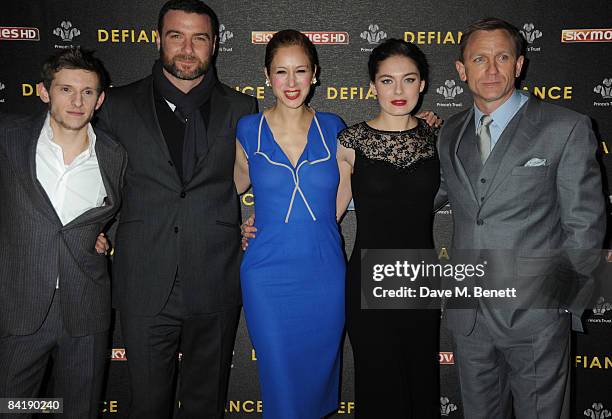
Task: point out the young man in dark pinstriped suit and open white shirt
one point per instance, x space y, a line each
60 183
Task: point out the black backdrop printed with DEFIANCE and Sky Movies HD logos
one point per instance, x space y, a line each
569 63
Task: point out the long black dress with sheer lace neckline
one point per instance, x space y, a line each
395 179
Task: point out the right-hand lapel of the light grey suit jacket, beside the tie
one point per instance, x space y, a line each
515 140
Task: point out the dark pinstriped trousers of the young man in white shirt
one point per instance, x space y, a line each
77 365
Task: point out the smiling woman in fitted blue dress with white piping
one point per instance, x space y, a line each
293 274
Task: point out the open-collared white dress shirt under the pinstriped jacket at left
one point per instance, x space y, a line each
74 188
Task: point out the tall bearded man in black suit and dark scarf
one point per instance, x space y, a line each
176 260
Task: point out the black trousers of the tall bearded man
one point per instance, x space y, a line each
152 343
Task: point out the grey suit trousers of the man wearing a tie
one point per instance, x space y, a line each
534 366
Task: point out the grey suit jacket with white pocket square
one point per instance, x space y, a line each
526 215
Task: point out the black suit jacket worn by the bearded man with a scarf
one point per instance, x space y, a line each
167 227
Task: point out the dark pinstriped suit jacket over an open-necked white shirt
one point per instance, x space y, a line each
35 248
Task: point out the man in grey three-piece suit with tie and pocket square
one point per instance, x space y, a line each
523 182
